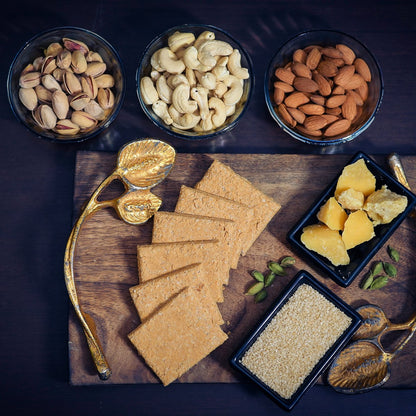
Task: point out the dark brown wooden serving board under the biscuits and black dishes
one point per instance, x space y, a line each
105 263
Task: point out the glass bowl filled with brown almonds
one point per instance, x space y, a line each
323 87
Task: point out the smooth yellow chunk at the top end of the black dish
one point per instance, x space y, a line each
358 177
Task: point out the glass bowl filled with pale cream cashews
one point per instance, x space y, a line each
194 81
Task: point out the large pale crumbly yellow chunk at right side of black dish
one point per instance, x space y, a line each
383 205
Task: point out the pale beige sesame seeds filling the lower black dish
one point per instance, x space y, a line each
297 337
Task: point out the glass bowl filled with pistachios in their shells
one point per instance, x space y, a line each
66 84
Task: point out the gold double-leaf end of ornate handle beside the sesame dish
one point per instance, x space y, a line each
365 364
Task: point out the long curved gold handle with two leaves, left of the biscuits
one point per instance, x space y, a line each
141 165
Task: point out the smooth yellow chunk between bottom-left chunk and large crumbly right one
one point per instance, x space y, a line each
357 229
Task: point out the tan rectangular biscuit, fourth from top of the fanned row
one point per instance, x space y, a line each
159 258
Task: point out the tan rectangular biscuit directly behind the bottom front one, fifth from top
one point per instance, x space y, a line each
151 295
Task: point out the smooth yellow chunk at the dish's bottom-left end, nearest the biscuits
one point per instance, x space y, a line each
326 242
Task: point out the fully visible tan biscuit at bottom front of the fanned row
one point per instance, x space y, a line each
177 336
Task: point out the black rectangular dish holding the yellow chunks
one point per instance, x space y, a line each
361 254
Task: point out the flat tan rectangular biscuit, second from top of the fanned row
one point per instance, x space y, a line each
198 202
